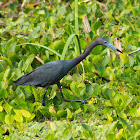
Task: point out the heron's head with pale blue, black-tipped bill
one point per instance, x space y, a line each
104 42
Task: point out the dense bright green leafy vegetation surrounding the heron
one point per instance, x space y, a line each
46 32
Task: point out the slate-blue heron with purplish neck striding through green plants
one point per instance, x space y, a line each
52 72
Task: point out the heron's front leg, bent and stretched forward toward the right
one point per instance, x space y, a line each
68 100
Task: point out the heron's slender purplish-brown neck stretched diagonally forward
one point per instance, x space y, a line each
86 52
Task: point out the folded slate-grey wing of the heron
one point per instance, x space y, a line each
44 75
